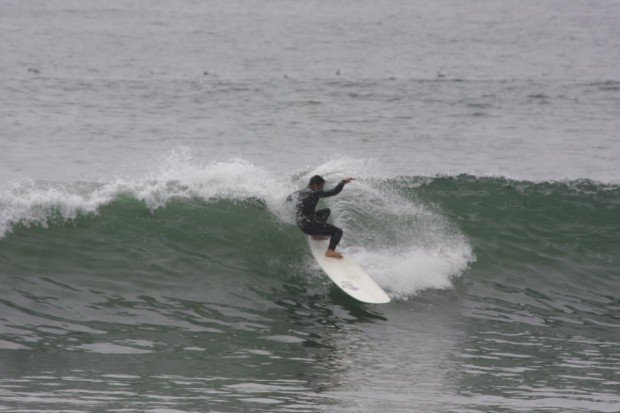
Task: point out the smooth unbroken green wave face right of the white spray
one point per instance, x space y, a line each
550 230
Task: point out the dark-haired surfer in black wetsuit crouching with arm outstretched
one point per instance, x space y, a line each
314 223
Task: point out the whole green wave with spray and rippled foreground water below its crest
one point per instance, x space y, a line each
216 299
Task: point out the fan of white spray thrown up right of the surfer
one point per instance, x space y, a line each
404 244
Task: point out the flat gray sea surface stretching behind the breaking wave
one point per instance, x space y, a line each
524 89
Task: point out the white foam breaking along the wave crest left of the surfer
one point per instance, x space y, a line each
33 203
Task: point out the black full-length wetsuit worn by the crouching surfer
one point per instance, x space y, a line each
314 222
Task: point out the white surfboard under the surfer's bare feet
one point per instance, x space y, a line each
348 275
